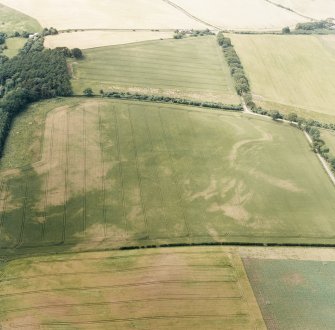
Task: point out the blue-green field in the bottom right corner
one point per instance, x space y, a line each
292 294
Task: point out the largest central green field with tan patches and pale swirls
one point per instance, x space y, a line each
115 173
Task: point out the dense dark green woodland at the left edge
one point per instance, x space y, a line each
32 75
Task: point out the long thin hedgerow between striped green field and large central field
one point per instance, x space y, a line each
165 99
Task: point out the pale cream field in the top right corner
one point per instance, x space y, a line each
319 9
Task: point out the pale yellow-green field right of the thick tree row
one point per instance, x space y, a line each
290 73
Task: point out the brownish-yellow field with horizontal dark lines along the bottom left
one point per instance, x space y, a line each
202 288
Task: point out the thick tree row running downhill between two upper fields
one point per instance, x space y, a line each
236 68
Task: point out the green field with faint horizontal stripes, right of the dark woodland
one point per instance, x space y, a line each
191 68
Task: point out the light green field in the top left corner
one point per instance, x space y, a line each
12 20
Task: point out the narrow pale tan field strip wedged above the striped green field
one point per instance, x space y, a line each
92 39
